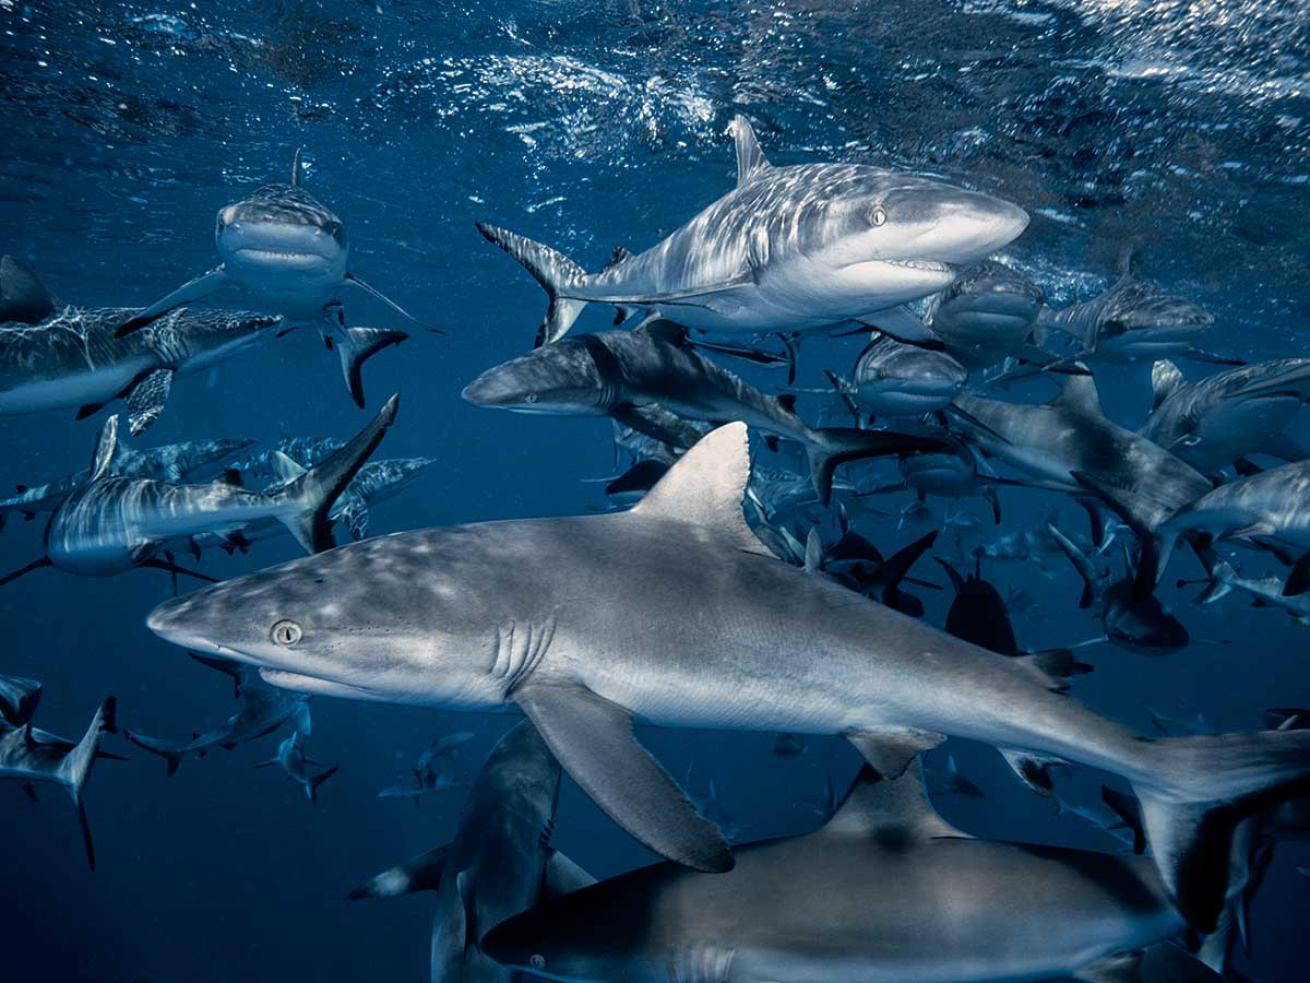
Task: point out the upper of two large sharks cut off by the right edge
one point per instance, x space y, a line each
1214 421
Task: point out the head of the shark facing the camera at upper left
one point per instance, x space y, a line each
282 229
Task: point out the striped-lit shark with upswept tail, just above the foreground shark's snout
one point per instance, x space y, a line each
113 524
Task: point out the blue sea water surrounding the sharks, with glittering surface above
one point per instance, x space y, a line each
588 125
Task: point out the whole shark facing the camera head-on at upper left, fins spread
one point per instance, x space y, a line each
285 247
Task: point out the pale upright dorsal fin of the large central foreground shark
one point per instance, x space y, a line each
705 488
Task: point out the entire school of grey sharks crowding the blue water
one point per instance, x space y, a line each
747 572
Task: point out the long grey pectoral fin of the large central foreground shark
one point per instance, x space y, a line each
595 744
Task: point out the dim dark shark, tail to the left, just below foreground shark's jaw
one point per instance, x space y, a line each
263 711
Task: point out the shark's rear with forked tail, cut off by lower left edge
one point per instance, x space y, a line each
33 758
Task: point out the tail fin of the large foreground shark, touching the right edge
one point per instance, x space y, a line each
1198 791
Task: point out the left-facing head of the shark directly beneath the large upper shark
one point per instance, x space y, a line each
561 379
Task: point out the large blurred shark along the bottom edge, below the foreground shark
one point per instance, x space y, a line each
884 892
